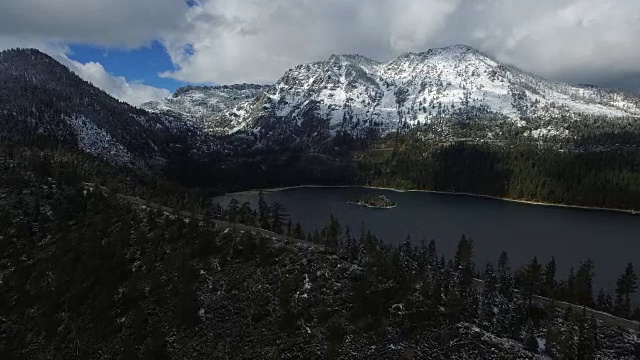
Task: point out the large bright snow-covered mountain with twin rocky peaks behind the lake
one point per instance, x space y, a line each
352 92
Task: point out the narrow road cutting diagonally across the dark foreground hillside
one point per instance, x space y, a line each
605 318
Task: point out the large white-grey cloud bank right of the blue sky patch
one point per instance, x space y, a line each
227 41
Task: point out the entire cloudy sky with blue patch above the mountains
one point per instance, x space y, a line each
142 50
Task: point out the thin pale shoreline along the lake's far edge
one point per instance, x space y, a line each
517 201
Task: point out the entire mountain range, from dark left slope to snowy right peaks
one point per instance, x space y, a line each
346 93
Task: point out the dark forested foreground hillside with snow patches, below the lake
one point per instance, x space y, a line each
85 275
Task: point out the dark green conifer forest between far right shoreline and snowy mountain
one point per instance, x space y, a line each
525 171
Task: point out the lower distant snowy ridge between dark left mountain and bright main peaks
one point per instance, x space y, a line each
210 108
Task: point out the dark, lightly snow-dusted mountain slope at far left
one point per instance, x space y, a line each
41 96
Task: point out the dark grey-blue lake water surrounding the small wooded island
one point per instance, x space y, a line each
610 239
